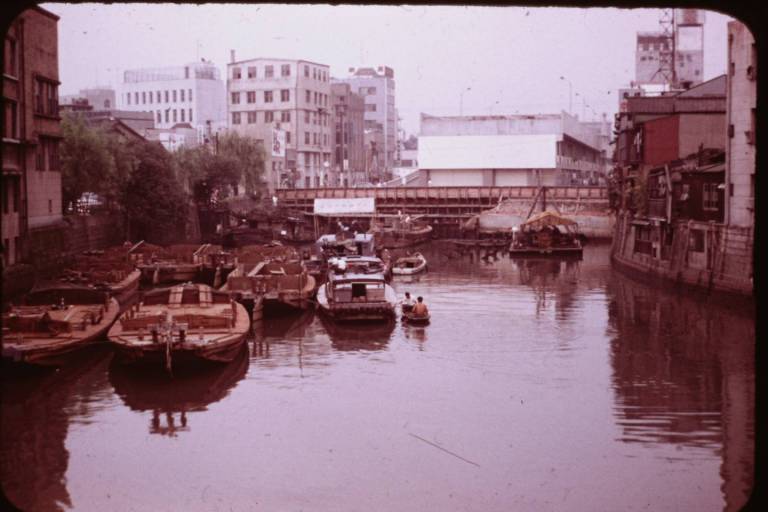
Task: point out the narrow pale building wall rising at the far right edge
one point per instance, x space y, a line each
741 113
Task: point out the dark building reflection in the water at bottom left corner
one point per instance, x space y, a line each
37 408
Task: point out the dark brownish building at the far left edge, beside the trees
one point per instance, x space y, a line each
31 177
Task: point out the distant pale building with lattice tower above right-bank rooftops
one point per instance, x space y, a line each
680 47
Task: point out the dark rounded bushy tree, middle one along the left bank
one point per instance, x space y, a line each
155 203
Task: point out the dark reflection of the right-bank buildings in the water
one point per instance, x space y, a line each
683 374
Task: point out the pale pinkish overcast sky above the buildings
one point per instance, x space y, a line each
512 58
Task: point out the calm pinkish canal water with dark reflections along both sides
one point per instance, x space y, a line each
539 385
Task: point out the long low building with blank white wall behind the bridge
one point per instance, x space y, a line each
520 150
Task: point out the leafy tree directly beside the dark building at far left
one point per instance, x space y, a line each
86 161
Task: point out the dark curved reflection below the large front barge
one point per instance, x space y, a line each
165 395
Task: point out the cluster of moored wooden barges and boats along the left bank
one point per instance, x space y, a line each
202 301
